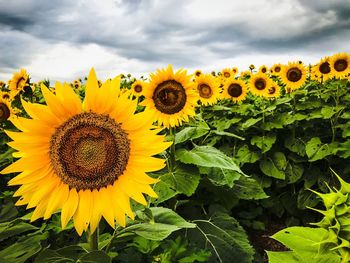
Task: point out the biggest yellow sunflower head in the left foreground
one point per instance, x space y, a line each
86 159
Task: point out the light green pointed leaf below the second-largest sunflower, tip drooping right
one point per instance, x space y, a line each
207 156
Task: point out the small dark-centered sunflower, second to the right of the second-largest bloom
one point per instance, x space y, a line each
235 89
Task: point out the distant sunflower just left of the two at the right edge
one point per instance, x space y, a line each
293 75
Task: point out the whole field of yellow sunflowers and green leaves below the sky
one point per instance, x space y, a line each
178 166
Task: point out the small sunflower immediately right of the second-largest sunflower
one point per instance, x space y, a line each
208 89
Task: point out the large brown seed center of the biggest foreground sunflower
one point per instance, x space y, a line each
89 151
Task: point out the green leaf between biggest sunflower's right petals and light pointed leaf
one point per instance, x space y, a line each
182 180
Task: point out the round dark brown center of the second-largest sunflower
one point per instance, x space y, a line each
169 97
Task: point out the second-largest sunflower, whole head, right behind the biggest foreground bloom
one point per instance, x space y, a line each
170 96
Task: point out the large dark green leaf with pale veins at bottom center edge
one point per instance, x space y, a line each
225 238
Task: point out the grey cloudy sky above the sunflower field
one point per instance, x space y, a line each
63 39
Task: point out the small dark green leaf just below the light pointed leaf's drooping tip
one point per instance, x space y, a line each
248 188
